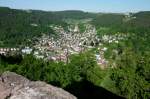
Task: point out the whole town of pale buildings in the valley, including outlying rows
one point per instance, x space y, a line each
66 43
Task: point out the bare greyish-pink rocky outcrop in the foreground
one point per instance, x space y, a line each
13 86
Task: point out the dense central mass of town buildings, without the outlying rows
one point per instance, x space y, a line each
68 42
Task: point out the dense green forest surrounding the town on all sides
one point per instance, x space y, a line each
129 79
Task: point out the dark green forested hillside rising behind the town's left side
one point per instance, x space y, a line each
16 26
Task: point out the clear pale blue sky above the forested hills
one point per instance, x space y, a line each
85 5
